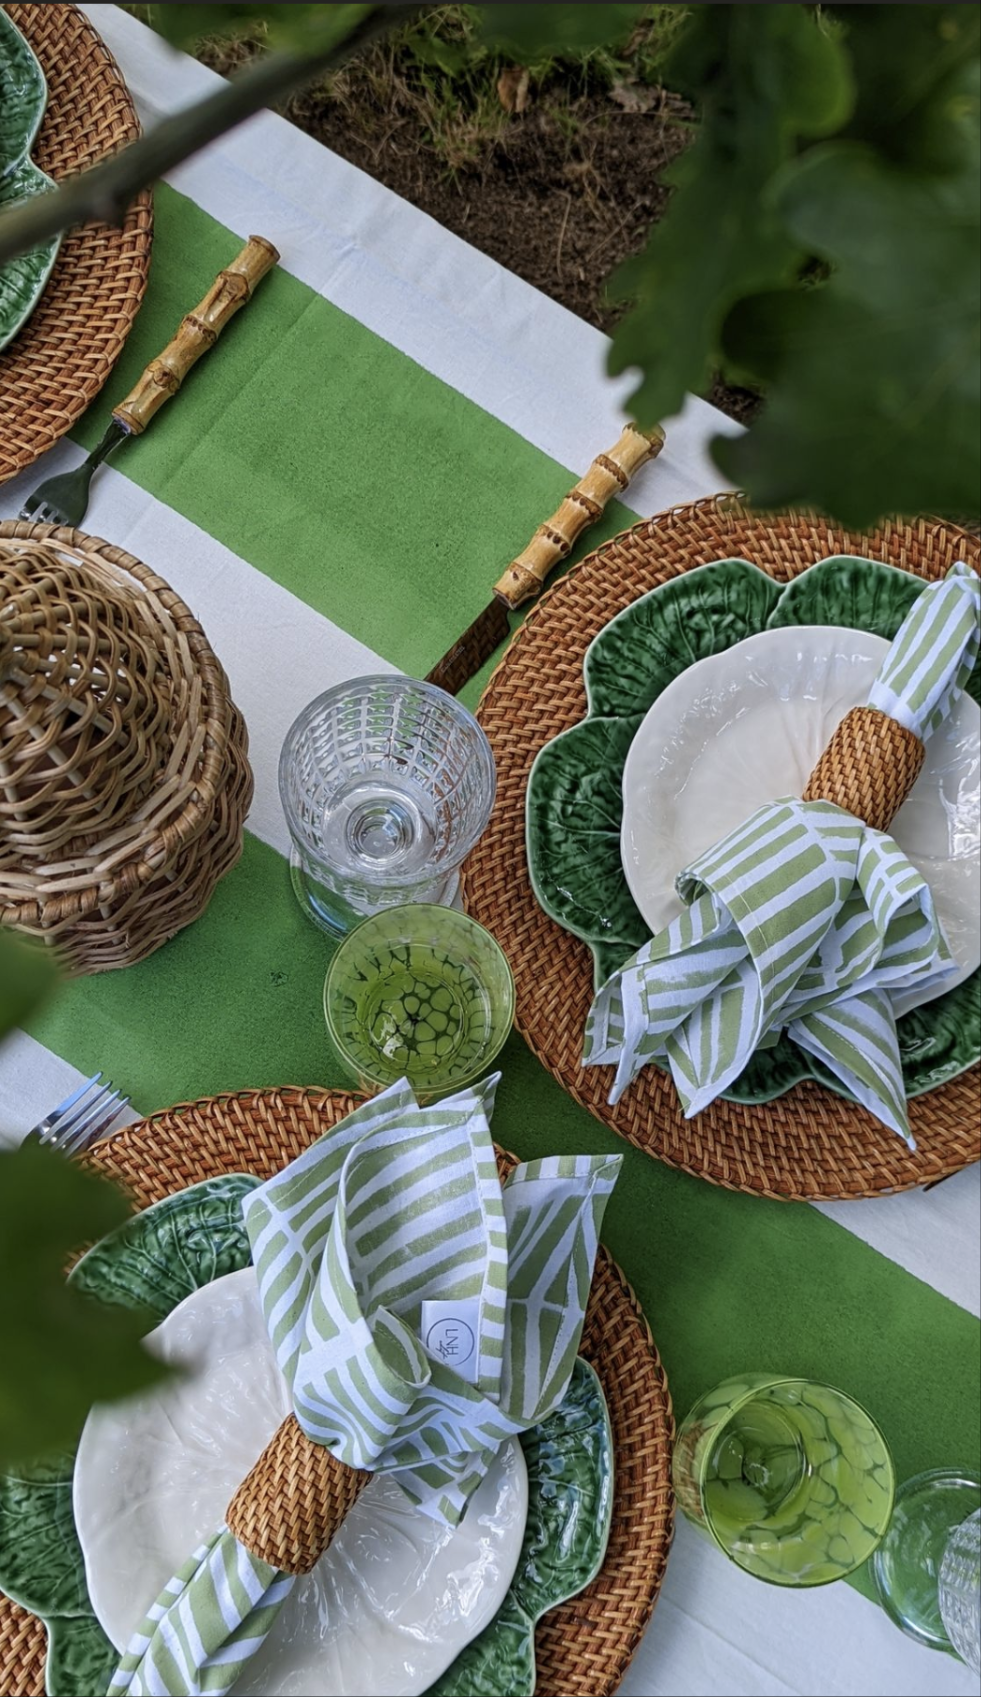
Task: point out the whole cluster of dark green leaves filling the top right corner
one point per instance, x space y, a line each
824 247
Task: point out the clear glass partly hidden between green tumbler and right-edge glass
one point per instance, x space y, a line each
907 1564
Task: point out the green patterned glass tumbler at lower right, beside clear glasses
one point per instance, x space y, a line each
792 1479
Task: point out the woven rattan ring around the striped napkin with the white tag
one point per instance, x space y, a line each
293 1503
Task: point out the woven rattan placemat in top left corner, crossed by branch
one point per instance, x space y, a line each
72 340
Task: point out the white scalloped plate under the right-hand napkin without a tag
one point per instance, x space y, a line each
748 727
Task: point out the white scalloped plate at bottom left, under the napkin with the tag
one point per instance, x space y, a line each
391 1605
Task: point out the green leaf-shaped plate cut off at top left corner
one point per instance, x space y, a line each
23 103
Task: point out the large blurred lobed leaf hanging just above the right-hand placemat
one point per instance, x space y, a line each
873 379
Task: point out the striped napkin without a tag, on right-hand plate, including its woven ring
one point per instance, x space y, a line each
807 919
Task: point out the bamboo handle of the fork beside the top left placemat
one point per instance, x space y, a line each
196 335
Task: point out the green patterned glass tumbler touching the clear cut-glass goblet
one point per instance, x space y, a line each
423 994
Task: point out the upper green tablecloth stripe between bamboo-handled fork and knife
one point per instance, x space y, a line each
330 461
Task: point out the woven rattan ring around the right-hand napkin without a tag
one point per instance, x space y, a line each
868 768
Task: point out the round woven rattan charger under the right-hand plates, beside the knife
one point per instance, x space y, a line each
807 1143
